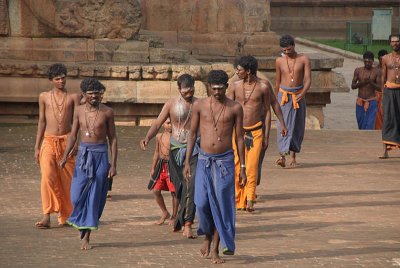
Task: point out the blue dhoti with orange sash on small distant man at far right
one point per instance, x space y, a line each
366 112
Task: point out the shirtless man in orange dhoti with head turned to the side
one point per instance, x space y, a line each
256 96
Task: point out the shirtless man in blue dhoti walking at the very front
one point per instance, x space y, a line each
217 117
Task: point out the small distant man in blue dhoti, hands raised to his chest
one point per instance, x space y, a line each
367 80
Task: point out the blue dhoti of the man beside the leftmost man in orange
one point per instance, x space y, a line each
89 186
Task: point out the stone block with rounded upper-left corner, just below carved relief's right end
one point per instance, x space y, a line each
132 51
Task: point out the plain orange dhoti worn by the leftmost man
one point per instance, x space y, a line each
56 181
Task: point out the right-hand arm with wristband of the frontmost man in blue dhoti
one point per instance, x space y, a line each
240 144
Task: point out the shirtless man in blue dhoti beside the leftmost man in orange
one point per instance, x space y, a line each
89 187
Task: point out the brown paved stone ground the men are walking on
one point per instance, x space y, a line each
340 208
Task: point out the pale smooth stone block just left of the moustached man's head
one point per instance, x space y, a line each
153 91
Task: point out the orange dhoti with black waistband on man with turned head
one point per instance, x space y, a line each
253 144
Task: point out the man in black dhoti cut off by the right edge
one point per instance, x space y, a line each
390 84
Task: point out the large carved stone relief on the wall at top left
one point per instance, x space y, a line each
83 18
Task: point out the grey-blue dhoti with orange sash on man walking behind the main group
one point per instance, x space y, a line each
294 114
